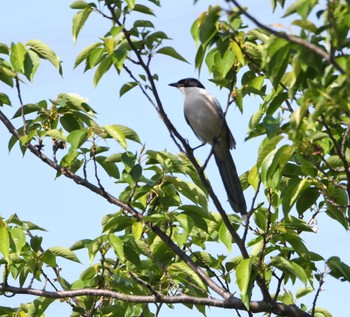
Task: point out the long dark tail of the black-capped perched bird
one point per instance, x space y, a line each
231 181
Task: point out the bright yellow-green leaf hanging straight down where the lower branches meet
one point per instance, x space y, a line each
243 274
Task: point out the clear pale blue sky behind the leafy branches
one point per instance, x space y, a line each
69 212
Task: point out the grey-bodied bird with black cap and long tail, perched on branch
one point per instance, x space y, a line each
206 118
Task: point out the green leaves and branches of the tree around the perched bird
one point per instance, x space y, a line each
154 249
